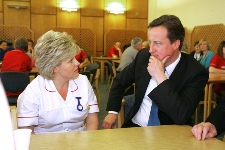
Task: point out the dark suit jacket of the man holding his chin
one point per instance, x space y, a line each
176 98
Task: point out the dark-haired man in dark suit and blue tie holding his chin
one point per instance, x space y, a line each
167 81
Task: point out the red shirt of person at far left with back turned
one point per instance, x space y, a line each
16 60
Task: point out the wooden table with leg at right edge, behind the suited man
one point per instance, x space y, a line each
213 78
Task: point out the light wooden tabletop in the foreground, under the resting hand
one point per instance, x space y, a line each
154 138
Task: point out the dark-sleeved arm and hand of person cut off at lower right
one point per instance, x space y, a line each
214 124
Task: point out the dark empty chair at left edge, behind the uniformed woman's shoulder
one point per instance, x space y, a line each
14 82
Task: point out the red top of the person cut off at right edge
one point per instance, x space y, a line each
218 63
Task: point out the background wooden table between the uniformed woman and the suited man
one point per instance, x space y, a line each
102 61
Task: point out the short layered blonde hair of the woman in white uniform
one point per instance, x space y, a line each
51 49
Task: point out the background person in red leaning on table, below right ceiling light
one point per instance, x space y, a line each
115 51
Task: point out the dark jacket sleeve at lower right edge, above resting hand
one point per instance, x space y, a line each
217 117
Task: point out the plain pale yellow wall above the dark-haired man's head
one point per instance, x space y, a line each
191 12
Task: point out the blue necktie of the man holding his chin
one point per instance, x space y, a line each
153 118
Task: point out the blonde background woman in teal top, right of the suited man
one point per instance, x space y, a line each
207 53
